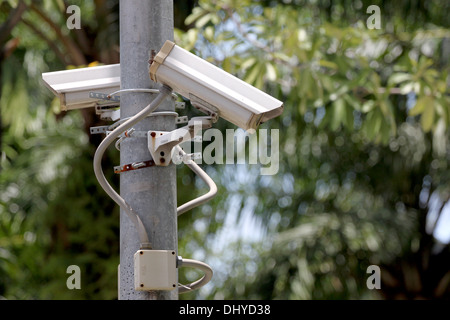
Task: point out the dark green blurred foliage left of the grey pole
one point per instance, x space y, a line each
51 206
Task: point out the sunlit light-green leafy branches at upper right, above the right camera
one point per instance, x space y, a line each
345 69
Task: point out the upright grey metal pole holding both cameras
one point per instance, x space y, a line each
151 192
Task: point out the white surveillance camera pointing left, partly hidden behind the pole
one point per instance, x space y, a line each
73 86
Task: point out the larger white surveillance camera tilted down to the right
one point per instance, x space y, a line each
211 89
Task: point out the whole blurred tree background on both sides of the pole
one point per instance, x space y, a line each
363 166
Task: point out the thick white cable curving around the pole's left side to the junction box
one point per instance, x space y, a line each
164 91
